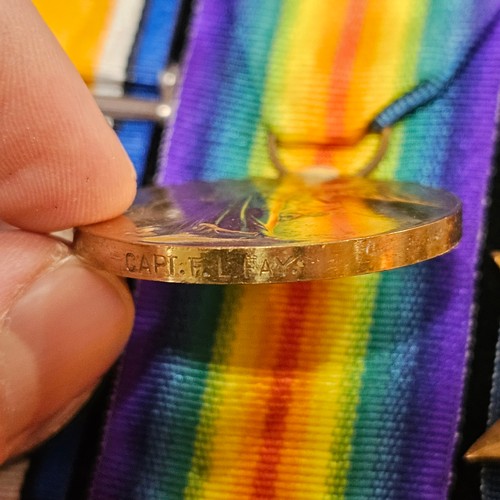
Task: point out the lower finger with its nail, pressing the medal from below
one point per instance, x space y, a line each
62 325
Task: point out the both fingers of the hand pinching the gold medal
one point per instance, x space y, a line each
62 324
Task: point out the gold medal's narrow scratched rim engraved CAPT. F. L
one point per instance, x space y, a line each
259 265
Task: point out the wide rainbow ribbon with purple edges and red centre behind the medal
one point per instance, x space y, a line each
342 389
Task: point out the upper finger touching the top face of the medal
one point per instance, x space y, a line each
61 164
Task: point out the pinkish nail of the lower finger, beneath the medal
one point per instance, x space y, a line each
61 336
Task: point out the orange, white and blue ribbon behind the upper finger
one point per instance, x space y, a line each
117 43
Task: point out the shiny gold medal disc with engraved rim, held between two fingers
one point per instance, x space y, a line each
273 230
